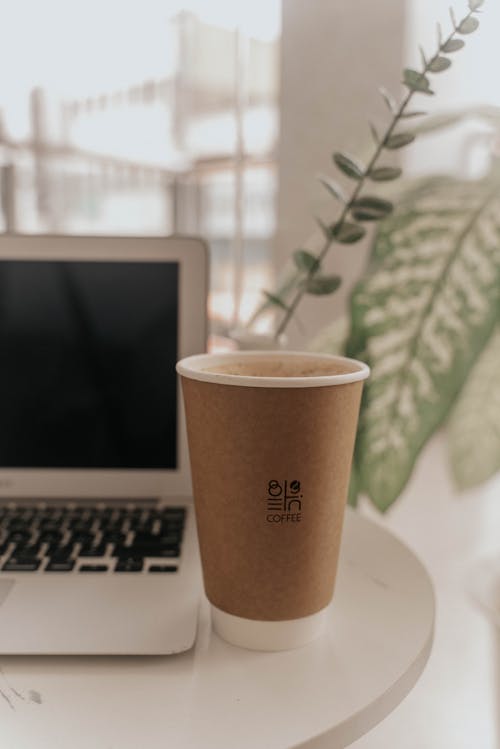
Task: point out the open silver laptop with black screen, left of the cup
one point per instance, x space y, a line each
98 548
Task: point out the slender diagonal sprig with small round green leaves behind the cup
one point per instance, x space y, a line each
357 207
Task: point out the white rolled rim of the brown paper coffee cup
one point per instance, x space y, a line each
191 368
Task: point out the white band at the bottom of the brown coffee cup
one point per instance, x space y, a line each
260 635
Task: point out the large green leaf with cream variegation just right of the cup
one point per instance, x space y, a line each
420 316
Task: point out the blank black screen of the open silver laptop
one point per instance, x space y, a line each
87 364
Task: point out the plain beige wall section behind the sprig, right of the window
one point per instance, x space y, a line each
335 55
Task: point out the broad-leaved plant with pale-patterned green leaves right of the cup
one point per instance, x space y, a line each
425 315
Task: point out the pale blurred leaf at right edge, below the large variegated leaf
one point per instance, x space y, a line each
474 425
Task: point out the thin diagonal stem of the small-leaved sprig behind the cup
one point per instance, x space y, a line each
431 65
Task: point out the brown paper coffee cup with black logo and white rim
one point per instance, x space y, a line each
271 438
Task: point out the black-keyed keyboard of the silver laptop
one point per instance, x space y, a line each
90 539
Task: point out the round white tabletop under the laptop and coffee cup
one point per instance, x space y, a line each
326 694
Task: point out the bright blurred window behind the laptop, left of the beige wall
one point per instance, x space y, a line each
146 119
